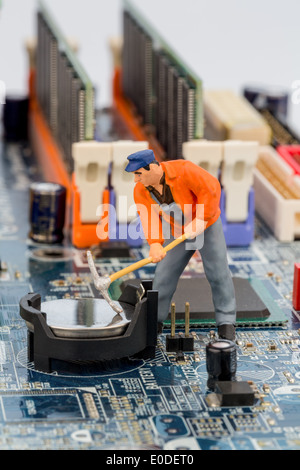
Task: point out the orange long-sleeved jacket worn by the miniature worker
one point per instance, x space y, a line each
191 185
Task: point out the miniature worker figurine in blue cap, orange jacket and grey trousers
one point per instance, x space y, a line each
176 188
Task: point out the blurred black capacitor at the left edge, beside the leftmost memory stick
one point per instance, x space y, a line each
15 118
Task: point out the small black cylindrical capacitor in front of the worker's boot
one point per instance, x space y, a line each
221 361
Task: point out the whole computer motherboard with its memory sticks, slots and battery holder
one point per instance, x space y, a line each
132 386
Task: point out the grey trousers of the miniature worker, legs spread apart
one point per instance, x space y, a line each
214 258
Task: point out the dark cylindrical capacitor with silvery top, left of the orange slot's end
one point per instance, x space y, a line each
47 212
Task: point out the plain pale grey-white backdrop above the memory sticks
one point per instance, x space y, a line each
228 43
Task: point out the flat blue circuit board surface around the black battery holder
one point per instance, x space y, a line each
161 403
